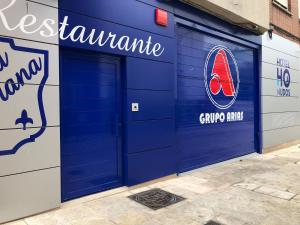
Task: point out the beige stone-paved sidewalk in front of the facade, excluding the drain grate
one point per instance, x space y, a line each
259 190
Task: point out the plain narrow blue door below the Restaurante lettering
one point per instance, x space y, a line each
90 123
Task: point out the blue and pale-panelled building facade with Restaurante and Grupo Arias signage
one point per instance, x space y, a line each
102 94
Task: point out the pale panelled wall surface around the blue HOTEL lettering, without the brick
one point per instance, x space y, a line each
280 114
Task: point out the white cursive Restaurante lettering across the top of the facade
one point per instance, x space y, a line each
81 34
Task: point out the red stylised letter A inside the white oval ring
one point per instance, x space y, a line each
222 78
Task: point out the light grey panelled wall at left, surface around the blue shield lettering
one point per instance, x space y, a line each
30 178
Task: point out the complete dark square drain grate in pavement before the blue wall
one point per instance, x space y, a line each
156 198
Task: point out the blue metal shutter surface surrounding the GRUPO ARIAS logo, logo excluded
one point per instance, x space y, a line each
205 144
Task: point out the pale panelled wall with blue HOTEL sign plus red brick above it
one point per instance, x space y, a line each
280 75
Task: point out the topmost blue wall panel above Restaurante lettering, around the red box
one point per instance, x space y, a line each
130 13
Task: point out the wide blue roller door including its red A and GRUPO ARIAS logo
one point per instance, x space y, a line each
216 101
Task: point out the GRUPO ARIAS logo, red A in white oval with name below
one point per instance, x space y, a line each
221 80
